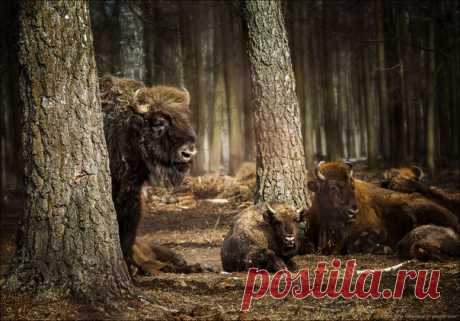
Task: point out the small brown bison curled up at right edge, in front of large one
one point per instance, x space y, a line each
430 242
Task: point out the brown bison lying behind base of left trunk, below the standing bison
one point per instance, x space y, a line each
151 258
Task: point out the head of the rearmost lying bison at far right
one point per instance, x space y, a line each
405 179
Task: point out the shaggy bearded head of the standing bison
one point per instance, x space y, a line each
167 138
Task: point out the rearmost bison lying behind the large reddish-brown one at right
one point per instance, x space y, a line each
409 180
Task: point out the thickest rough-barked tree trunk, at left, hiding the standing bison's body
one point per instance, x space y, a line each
70 234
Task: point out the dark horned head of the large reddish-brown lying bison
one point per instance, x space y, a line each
335 201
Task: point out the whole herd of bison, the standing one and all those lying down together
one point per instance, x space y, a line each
150 137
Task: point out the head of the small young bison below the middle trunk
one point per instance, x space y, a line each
286 222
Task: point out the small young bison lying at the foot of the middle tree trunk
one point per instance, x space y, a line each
263 236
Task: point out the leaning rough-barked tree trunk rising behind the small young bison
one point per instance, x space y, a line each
280 154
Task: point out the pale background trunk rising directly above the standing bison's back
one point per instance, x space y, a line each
132 63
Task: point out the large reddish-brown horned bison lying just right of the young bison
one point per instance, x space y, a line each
384 217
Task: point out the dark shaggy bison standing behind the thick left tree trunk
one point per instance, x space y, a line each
149 136
